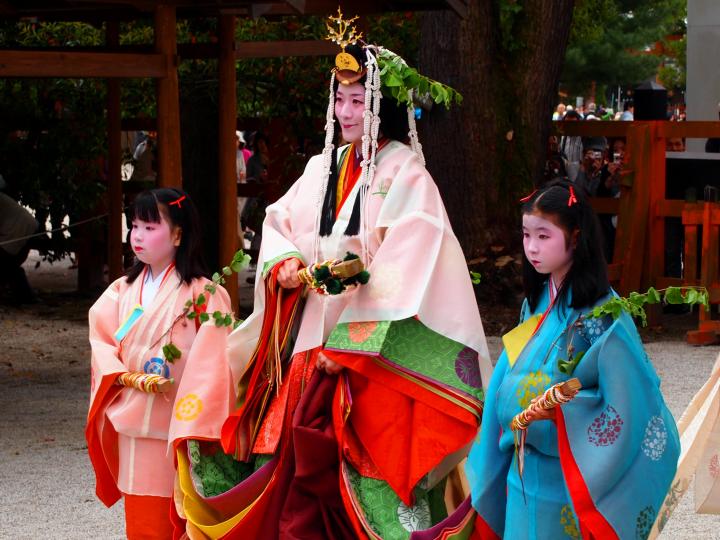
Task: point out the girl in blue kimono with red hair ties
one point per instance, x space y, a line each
598 466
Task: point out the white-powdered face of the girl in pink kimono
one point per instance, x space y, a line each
155 244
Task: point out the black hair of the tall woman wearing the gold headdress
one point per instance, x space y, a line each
393 125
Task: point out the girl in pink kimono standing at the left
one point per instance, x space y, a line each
128 426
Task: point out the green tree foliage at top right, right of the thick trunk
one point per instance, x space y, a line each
610 41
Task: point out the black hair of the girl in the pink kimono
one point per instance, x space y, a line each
148 206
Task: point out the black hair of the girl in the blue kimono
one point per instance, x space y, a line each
587 277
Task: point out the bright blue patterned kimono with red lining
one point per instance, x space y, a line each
603 468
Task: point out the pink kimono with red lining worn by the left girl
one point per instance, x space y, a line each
128 430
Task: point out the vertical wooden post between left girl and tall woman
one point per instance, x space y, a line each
227 151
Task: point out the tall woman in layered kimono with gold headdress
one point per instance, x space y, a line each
353 407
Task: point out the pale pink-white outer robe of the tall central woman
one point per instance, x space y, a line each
414 259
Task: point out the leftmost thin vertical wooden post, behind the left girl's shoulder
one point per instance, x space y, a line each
114 178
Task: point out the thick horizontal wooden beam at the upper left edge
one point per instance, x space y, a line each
81 64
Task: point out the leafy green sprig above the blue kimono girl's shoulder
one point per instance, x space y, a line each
635 302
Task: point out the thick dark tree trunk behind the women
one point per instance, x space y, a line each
488 152
